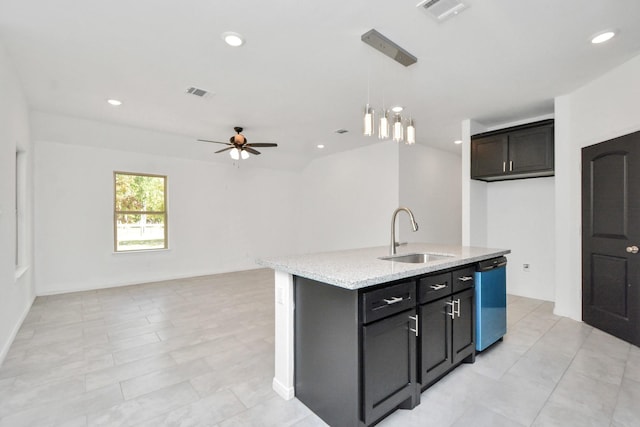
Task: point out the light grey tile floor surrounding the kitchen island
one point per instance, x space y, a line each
199 352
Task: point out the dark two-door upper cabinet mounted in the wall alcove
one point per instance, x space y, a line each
524 151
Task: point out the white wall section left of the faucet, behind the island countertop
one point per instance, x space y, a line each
346 199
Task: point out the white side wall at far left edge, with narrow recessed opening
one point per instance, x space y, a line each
16 287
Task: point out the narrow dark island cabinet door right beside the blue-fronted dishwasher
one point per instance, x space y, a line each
463 330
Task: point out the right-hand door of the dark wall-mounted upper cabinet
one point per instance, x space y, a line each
531 150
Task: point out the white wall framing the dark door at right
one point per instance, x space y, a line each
605 108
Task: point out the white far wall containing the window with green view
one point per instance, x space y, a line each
220 217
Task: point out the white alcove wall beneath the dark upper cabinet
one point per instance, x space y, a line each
521 217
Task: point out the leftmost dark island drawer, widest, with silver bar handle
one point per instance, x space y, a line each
387 301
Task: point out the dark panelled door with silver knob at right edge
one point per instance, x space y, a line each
611 236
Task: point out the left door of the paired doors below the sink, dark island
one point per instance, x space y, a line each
435 340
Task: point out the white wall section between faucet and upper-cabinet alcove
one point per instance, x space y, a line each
430 185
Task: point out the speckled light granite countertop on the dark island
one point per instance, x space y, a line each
359 268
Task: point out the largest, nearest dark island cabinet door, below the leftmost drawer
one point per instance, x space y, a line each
389 364
